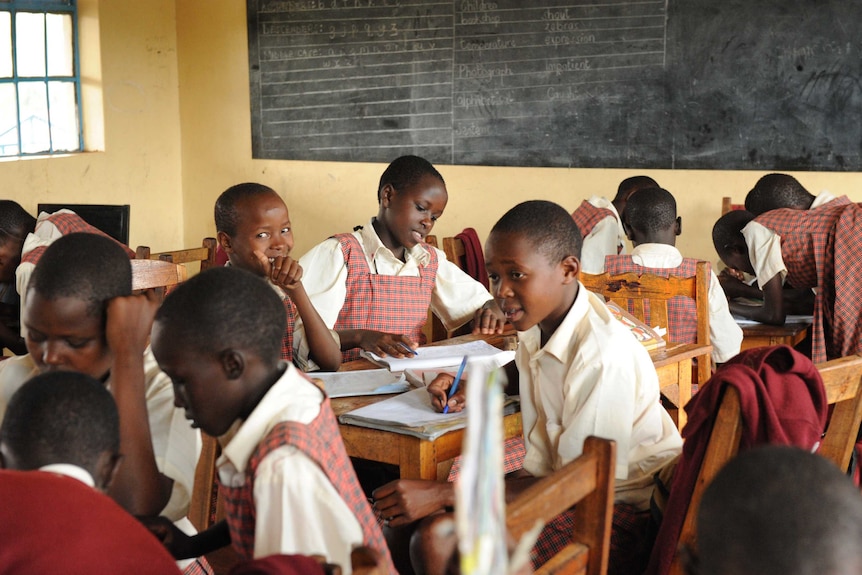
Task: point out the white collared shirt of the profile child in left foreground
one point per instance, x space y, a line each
297 509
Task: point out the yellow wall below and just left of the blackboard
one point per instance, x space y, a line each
329 197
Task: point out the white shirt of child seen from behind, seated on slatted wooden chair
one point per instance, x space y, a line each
724 333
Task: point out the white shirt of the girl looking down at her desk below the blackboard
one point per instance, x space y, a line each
455 298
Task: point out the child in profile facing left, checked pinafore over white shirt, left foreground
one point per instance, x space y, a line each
284 474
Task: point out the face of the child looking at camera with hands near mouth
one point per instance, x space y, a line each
263 225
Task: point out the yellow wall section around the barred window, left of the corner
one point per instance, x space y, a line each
128 55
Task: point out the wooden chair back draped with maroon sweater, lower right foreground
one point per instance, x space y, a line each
842 379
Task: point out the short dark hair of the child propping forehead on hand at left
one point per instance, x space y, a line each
85 266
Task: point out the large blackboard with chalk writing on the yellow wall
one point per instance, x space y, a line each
706 84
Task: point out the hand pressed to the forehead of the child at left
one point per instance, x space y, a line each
130 319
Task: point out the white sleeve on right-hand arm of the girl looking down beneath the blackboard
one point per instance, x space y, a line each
456 295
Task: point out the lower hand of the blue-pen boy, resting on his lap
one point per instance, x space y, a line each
404 501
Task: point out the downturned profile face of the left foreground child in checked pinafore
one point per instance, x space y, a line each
210 394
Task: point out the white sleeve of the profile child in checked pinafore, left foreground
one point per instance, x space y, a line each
299 511
